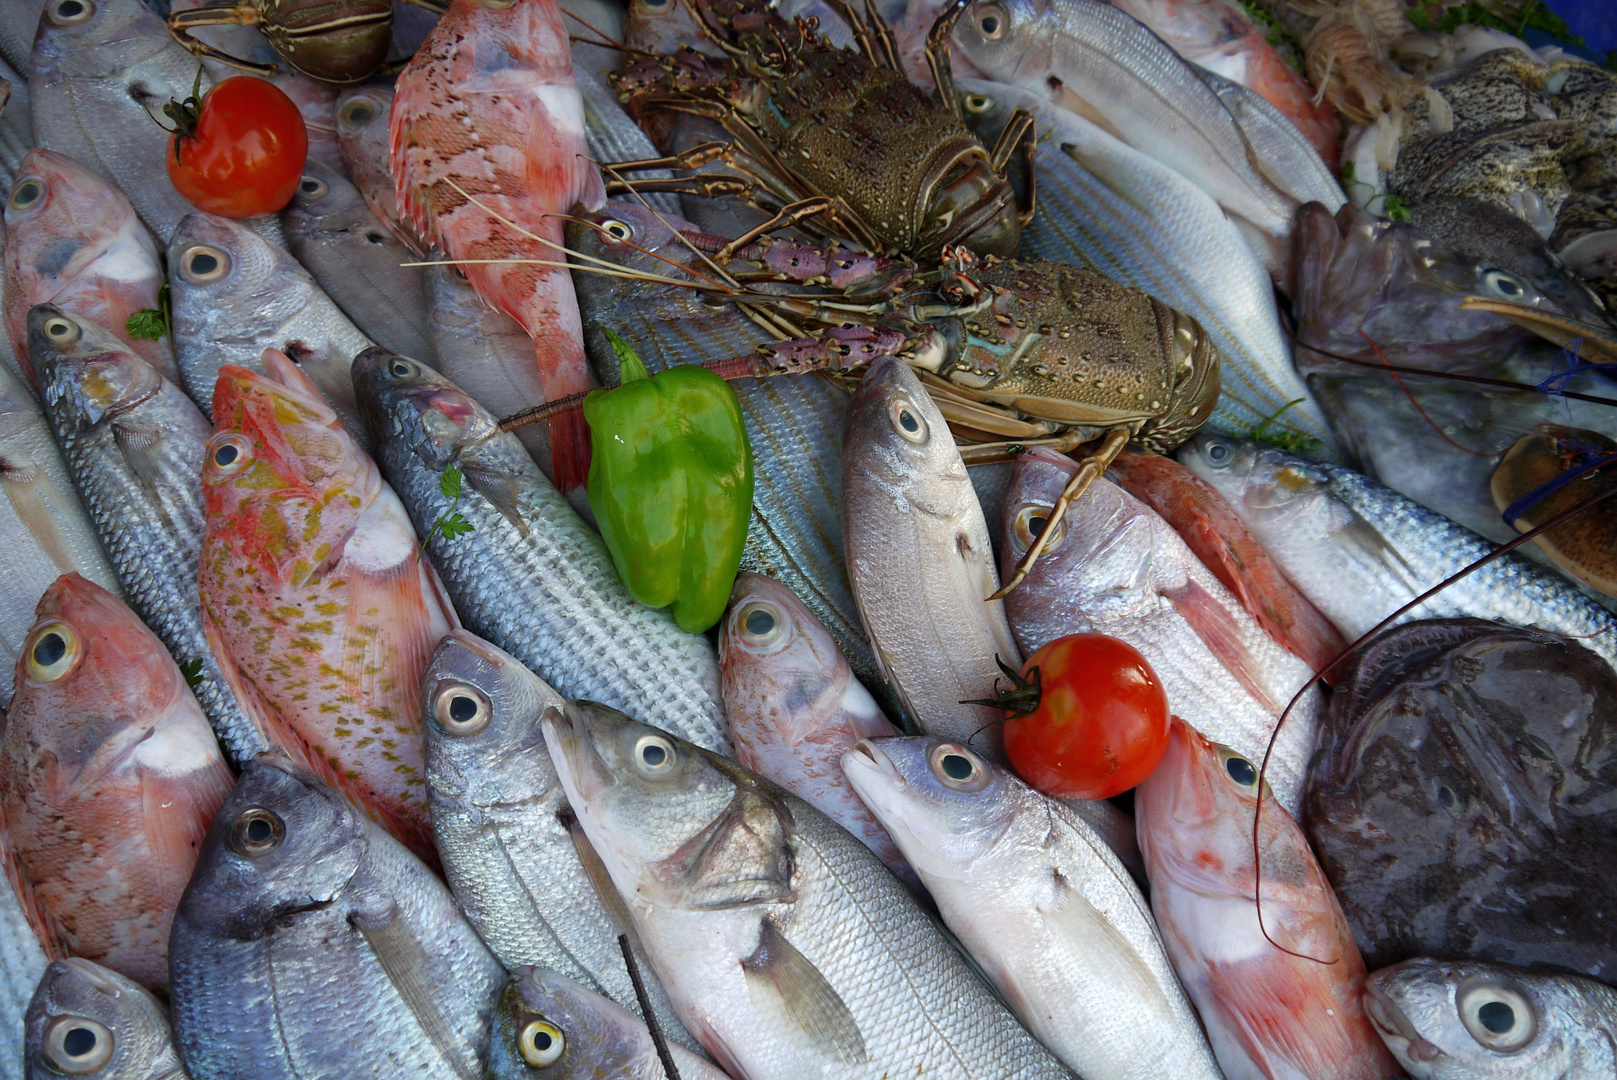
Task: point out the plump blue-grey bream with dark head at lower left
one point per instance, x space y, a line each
306 926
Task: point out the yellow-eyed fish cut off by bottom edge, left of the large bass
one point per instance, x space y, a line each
549 1026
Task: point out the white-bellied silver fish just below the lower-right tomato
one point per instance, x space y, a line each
1042 905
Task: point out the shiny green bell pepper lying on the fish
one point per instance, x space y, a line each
672 486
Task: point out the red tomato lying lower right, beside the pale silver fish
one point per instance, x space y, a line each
1100 724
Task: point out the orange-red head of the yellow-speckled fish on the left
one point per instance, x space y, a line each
281 475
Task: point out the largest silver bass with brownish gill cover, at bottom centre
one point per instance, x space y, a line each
785 945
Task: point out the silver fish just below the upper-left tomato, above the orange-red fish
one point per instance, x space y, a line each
235 295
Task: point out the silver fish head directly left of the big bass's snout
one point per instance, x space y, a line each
483 738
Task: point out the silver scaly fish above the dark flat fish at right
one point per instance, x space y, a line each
1361 552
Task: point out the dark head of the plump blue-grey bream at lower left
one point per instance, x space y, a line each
284 843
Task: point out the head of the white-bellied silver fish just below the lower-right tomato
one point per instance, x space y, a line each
945 806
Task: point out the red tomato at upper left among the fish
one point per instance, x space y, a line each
242 153
